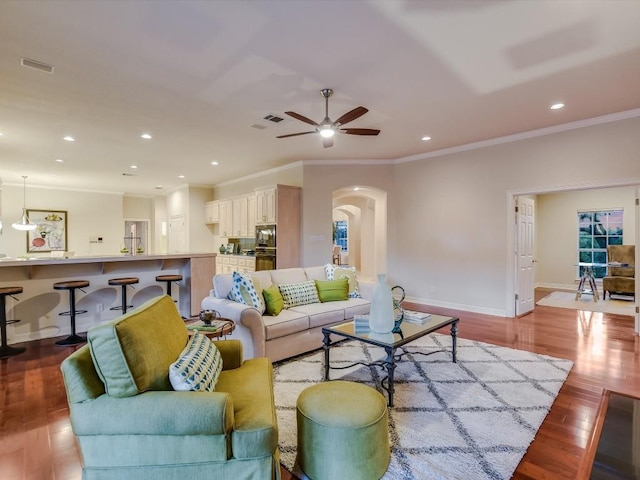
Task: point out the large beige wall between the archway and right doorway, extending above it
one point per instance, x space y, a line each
451 218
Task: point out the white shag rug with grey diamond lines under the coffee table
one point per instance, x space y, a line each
470 419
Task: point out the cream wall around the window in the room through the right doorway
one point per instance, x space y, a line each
556 229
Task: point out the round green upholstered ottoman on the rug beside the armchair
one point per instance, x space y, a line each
343 431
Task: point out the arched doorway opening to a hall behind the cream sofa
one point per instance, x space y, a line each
365 210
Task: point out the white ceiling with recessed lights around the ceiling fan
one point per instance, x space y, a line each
198 74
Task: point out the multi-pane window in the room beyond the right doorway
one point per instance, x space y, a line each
596 230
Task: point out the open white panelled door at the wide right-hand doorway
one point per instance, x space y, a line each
525 216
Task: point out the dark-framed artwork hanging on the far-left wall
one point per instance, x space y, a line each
51 233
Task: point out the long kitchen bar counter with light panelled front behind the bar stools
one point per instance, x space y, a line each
38 307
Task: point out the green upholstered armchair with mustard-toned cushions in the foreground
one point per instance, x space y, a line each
130 424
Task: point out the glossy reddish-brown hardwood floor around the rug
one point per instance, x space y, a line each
36 441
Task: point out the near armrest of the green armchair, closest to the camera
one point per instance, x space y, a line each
155 413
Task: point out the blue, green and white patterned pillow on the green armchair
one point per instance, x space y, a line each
198 366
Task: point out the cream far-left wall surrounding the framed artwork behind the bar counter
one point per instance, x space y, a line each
88 214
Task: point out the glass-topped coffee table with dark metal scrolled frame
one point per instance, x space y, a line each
390 342
